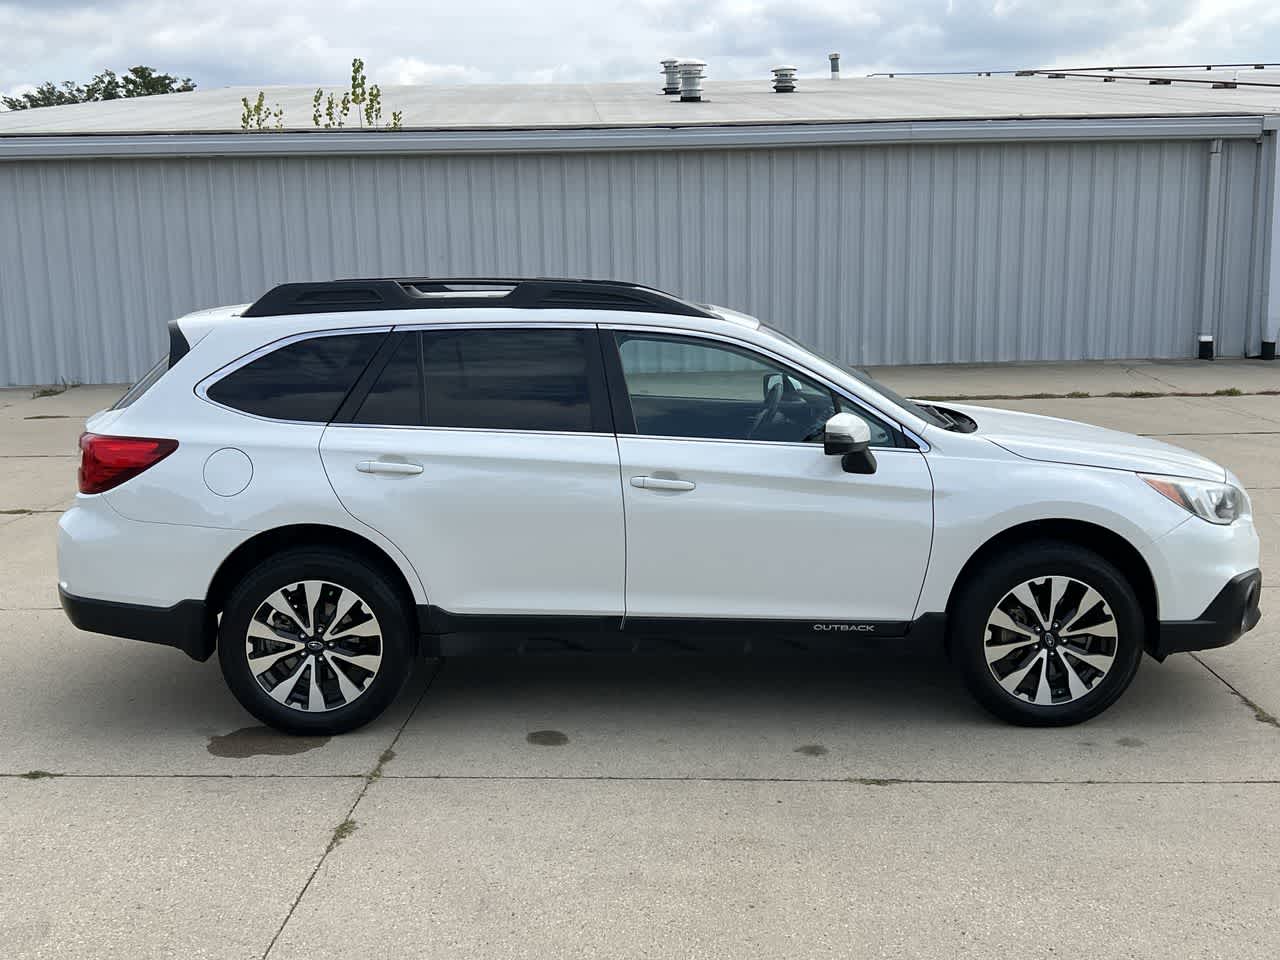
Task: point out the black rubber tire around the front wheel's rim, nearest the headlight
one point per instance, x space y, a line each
971 637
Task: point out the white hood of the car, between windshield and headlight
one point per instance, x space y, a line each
1071 442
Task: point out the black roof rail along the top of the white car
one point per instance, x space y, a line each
428 292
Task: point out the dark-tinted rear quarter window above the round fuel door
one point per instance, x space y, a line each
303 381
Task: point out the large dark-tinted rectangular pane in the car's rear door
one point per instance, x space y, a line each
509 380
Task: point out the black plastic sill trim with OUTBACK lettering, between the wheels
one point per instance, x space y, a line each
454 636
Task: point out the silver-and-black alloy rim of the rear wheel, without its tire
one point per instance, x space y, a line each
314 646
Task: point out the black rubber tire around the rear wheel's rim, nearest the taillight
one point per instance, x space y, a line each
388 637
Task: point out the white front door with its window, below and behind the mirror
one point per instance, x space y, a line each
733 510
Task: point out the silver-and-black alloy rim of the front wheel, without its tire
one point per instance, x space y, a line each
1050 641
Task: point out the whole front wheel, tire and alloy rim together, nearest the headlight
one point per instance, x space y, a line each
1049 634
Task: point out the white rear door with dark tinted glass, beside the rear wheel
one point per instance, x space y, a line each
488 456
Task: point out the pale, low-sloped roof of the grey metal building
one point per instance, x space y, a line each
632 106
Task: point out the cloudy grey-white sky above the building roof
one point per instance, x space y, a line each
223 43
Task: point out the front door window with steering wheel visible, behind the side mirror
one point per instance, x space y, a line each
705 390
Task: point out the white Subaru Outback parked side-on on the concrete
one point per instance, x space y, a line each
322 483
